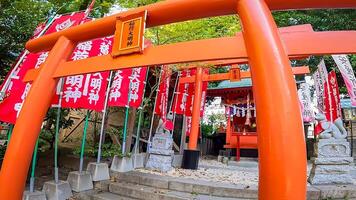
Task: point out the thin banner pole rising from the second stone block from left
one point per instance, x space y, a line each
56 178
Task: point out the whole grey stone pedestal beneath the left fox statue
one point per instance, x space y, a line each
161 153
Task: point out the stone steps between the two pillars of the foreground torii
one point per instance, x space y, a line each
136 185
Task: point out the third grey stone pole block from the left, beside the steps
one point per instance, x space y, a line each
80 181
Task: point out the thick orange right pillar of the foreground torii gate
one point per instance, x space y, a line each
278 113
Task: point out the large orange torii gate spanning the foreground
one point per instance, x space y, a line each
274 84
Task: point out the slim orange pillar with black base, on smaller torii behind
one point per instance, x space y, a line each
191 155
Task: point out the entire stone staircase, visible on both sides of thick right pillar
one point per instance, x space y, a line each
139 185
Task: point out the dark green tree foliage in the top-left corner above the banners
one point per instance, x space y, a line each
19 18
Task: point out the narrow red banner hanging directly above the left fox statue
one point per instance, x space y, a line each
162 95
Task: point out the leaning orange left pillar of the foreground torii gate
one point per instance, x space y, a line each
29 122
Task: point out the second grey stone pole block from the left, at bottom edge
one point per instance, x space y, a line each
57 191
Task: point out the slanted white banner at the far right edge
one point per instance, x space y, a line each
347 72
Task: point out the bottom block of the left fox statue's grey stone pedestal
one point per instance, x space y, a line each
162 163
